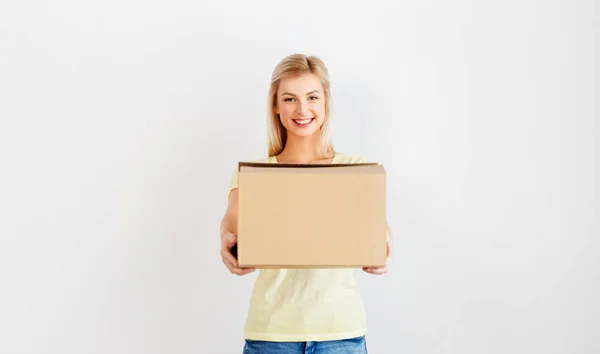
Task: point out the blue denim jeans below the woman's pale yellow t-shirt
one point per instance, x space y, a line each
344 346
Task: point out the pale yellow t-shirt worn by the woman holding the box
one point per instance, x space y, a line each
305 304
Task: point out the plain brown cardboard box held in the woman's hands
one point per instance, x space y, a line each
311 216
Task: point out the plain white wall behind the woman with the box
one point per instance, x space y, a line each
121 122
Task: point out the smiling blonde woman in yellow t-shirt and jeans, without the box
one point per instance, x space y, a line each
300 310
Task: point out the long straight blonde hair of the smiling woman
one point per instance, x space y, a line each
295 65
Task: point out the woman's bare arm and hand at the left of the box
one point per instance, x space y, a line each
229 235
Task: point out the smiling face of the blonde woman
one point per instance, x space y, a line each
301 104
